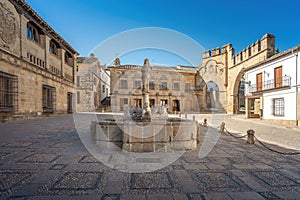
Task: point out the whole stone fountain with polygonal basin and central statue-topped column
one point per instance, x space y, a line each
146 129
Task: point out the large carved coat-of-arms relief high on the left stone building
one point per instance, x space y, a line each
8 24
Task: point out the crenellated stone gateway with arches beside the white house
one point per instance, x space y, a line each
225 69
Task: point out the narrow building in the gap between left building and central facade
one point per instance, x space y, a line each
92 84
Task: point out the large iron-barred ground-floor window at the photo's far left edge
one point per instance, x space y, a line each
8 92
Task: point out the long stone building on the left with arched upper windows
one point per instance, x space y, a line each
36 64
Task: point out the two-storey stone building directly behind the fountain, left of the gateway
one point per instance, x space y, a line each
178 88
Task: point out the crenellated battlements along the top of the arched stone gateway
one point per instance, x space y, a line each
266 43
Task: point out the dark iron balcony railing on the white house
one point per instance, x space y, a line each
271 84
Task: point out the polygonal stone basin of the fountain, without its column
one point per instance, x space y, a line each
159 135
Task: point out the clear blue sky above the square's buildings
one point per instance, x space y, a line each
86 24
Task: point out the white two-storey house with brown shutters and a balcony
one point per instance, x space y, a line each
270 88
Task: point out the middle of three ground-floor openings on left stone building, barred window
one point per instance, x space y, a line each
49 99
